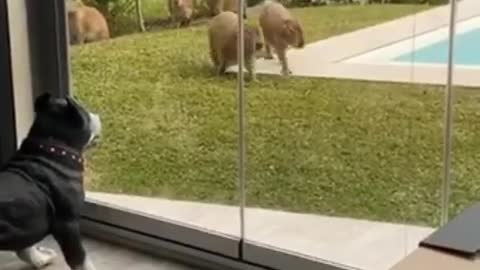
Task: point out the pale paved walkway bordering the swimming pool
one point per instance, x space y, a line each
326 58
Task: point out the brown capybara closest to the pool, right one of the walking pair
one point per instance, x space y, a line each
280 30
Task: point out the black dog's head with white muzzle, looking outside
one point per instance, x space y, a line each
65 121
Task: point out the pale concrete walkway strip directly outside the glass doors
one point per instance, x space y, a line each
359 244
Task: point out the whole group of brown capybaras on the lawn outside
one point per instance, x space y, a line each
280 31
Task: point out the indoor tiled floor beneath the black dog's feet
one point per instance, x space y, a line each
104 256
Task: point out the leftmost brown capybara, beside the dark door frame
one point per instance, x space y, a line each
86 24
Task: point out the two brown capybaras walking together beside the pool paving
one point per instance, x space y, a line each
280 31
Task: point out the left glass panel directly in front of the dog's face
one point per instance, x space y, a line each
169 146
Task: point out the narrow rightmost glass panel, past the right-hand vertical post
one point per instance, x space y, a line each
465 184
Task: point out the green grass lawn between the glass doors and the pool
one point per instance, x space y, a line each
337 147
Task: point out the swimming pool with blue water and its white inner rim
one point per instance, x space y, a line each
430 49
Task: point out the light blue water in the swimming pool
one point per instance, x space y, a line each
466 52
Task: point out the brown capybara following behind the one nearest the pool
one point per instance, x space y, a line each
223 41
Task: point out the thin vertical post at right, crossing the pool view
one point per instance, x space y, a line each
448 125
